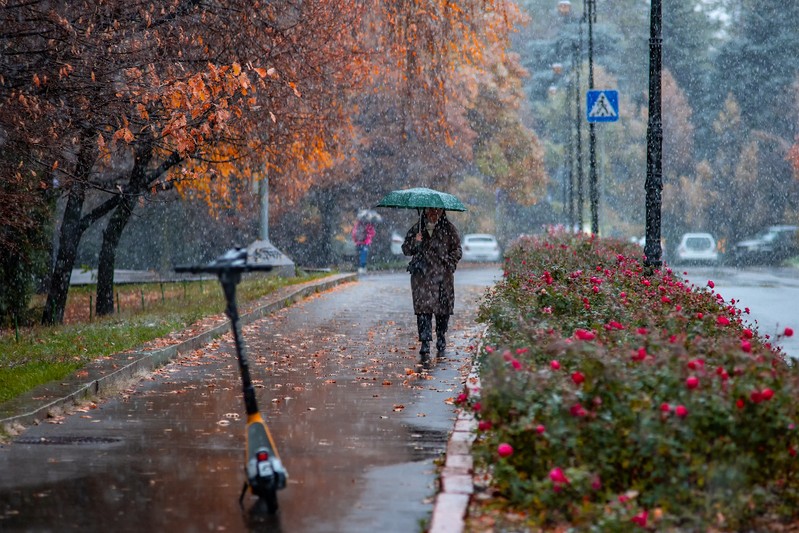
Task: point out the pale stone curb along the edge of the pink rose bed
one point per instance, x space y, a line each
456 482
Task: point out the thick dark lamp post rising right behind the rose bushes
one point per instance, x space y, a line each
654 142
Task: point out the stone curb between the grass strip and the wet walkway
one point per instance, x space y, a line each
106 376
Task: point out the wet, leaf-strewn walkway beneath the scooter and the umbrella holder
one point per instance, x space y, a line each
358 424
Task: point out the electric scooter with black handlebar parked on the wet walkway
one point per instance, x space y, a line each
263 467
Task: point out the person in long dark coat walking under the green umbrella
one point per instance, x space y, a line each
436 246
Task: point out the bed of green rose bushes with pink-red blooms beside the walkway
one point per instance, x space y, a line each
613 397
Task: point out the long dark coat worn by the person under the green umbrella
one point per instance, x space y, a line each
434 289
